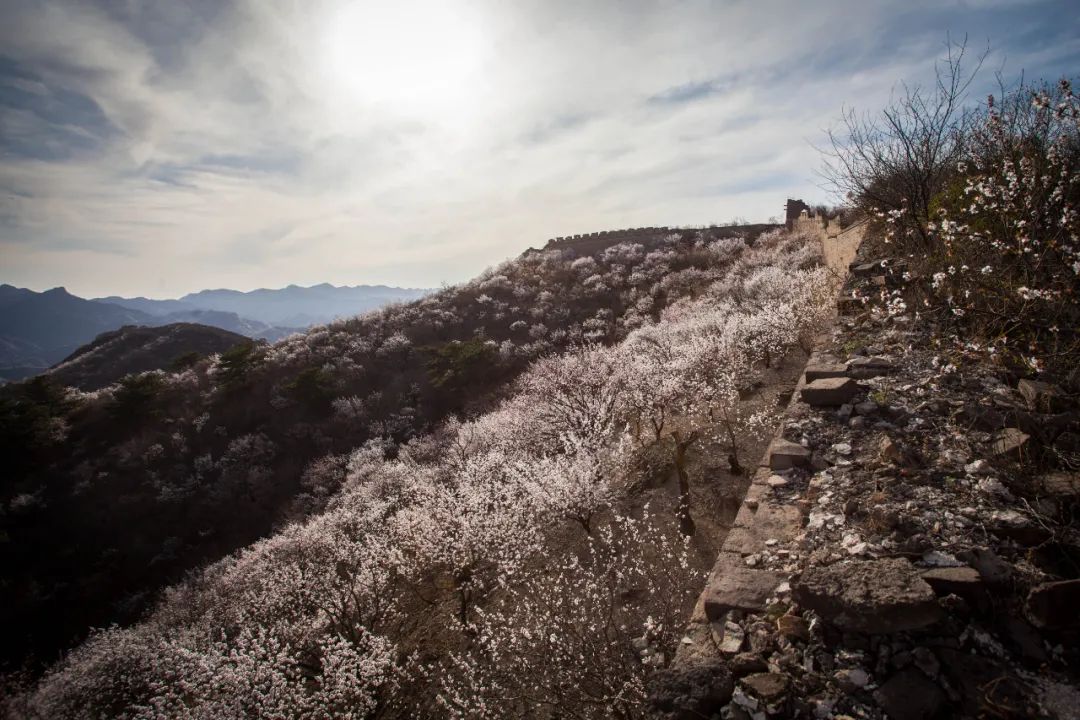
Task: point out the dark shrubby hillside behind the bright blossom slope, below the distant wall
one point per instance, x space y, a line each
113 494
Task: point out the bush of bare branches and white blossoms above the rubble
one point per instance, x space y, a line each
984 205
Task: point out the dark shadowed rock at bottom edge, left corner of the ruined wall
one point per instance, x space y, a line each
684 694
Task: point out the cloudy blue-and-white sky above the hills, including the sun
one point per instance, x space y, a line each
156 147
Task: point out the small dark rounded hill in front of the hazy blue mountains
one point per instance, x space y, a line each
117 354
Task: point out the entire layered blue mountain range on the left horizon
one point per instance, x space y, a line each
39 330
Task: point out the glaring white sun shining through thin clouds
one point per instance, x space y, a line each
407 56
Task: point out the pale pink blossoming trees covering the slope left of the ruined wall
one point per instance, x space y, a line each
508 564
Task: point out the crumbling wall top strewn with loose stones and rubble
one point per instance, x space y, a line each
910 547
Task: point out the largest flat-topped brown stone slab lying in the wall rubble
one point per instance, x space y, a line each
869 596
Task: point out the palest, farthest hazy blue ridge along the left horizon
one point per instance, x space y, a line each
289 307
